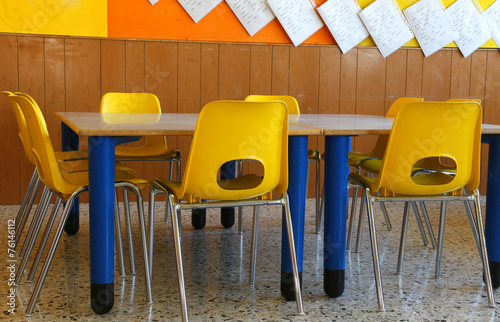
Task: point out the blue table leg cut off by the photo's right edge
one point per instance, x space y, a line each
492 221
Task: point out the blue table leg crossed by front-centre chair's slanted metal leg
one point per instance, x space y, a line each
297 181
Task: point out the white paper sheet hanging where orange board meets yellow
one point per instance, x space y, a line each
342 19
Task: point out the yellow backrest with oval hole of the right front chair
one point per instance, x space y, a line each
428 130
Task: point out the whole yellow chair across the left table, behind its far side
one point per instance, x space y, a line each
155 147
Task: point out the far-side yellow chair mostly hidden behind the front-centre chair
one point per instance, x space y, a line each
312 155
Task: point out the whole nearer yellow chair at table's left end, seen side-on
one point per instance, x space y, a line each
67 186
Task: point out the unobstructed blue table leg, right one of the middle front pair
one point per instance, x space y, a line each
336 171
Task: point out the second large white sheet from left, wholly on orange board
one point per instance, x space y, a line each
253 14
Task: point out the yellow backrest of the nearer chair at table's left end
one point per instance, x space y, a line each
42 149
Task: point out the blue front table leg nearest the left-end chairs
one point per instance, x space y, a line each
101 208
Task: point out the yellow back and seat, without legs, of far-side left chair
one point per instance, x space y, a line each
136 103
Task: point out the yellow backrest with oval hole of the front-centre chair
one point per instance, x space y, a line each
237 130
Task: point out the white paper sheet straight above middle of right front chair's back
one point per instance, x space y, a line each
431 25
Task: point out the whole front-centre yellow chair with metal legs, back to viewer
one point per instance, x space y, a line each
231 128
